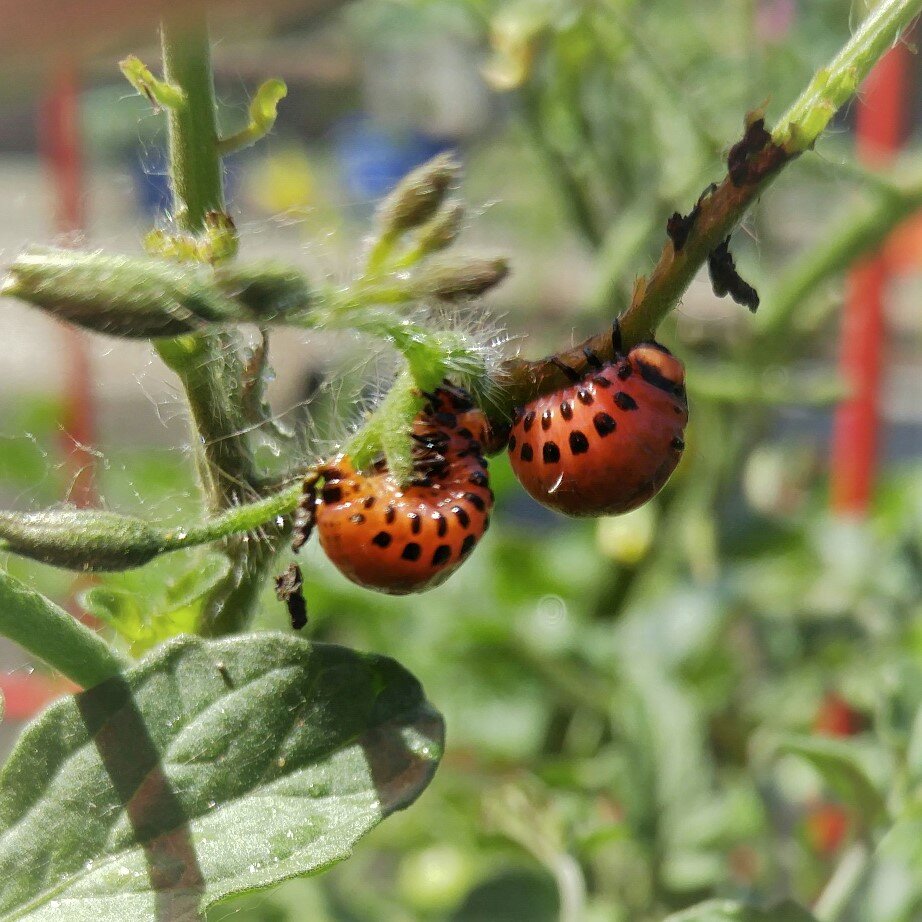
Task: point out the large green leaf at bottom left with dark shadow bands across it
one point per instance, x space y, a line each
212 768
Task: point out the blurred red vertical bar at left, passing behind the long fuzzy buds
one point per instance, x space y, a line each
60 146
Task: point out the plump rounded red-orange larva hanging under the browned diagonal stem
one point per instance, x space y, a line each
608 442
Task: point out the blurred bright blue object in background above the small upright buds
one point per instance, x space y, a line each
373 160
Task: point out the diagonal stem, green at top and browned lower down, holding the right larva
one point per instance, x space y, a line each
720 211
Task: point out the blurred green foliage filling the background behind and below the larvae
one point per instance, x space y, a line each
632 704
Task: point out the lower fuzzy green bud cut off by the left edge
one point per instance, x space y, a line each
80 539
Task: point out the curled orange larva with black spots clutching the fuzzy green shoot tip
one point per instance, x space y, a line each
400 539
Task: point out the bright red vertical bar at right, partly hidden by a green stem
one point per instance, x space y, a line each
881 129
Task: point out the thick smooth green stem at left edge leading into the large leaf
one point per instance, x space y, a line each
51 634
